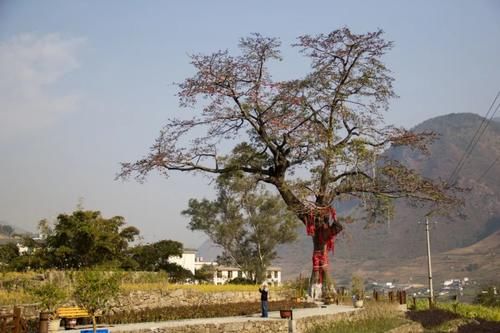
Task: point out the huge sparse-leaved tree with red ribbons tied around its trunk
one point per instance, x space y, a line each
317 139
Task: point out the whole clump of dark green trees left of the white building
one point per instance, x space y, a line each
85 239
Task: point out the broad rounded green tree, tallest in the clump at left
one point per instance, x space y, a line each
86 239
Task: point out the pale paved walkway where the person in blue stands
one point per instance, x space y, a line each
273 315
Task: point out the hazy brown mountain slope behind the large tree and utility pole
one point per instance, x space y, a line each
392 244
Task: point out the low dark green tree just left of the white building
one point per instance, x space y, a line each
153 257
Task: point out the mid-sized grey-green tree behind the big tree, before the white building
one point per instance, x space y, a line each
246 221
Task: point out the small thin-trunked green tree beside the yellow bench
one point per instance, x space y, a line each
94 290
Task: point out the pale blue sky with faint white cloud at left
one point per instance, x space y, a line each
85 85
